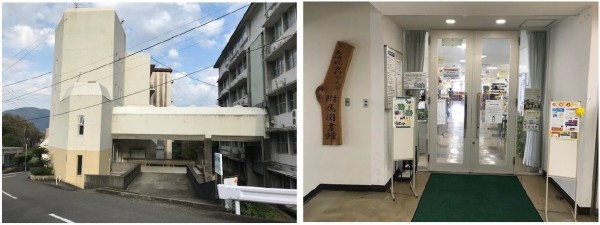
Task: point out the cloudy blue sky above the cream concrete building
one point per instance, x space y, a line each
28 45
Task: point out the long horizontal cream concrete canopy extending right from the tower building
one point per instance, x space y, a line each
188 123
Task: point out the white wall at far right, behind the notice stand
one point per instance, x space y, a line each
573 75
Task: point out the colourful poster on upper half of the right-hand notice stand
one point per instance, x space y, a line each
564 122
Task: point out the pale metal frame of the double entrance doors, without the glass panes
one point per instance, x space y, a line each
472 83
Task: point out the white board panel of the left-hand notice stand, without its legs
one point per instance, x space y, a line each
404 126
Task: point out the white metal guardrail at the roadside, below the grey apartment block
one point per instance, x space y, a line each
257 194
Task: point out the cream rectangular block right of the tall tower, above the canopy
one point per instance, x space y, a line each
137 74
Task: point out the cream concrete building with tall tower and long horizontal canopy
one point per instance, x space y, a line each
93 124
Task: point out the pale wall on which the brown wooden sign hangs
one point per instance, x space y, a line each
364 157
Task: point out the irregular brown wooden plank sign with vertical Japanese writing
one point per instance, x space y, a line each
329 93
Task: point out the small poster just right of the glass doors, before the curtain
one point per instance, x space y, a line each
531 109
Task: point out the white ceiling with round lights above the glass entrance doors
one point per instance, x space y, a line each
476 15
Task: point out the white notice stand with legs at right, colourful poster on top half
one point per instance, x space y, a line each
562 146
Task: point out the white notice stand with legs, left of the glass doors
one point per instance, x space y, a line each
404 123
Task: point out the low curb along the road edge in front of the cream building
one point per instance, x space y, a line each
219 211
